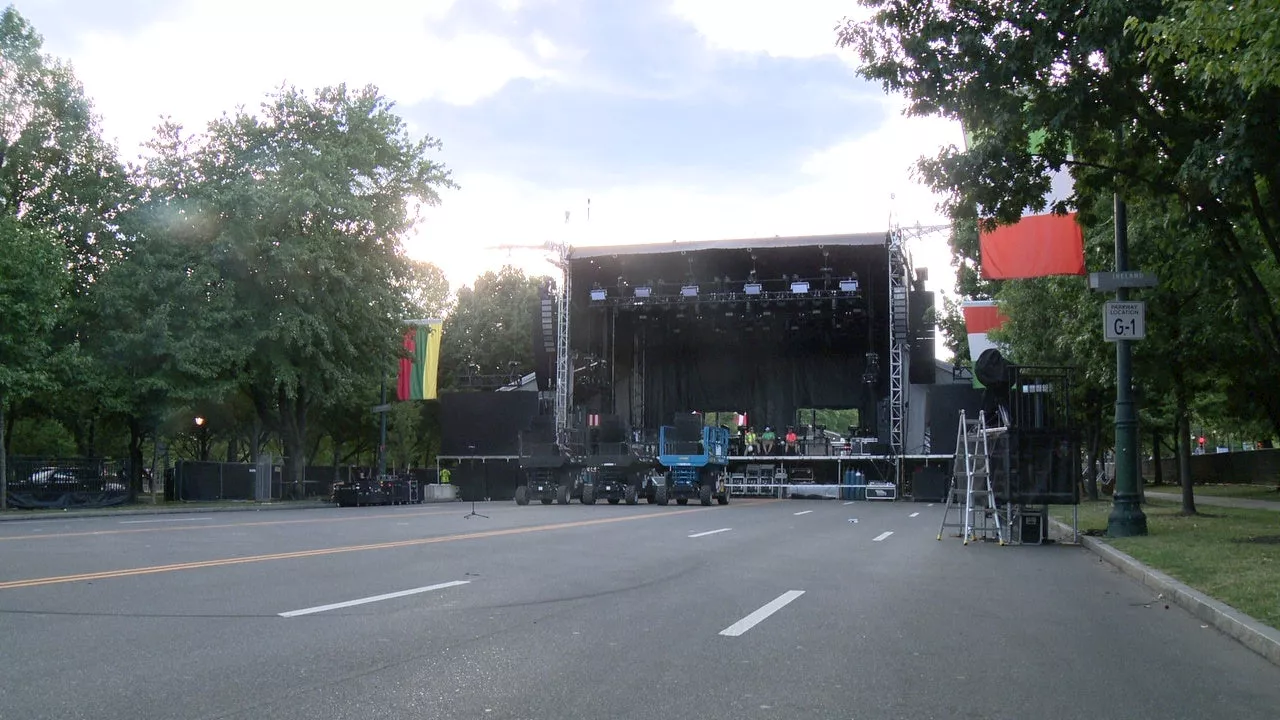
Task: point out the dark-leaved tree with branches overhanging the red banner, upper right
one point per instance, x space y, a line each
1122 113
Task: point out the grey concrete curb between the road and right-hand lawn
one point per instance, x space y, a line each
1249 632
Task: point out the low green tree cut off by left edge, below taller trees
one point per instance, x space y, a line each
34 286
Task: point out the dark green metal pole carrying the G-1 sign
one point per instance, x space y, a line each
1127 517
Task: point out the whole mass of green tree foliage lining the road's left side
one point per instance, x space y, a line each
253 272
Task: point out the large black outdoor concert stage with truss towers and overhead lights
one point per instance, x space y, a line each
758 332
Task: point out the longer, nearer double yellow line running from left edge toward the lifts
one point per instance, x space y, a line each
157 569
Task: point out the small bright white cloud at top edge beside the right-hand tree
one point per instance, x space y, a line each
797 29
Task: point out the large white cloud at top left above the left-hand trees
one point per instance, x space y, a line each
218 54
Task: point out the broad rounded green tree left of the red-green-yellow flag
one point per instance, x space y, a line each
303 211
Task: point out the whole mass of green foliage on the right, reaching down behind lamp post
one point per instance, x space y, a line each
1168 104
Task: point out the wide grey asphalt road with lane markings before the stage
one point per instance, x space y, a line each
559 613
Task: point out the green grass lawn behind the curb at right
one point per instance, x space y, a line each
1226 553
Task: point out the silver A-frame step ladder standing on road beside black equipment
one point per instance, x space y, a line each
972 493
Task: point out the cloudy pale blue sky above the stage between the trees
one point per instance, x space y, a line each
671 120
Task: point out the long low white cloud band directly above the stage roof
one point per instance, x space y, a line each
851 188
